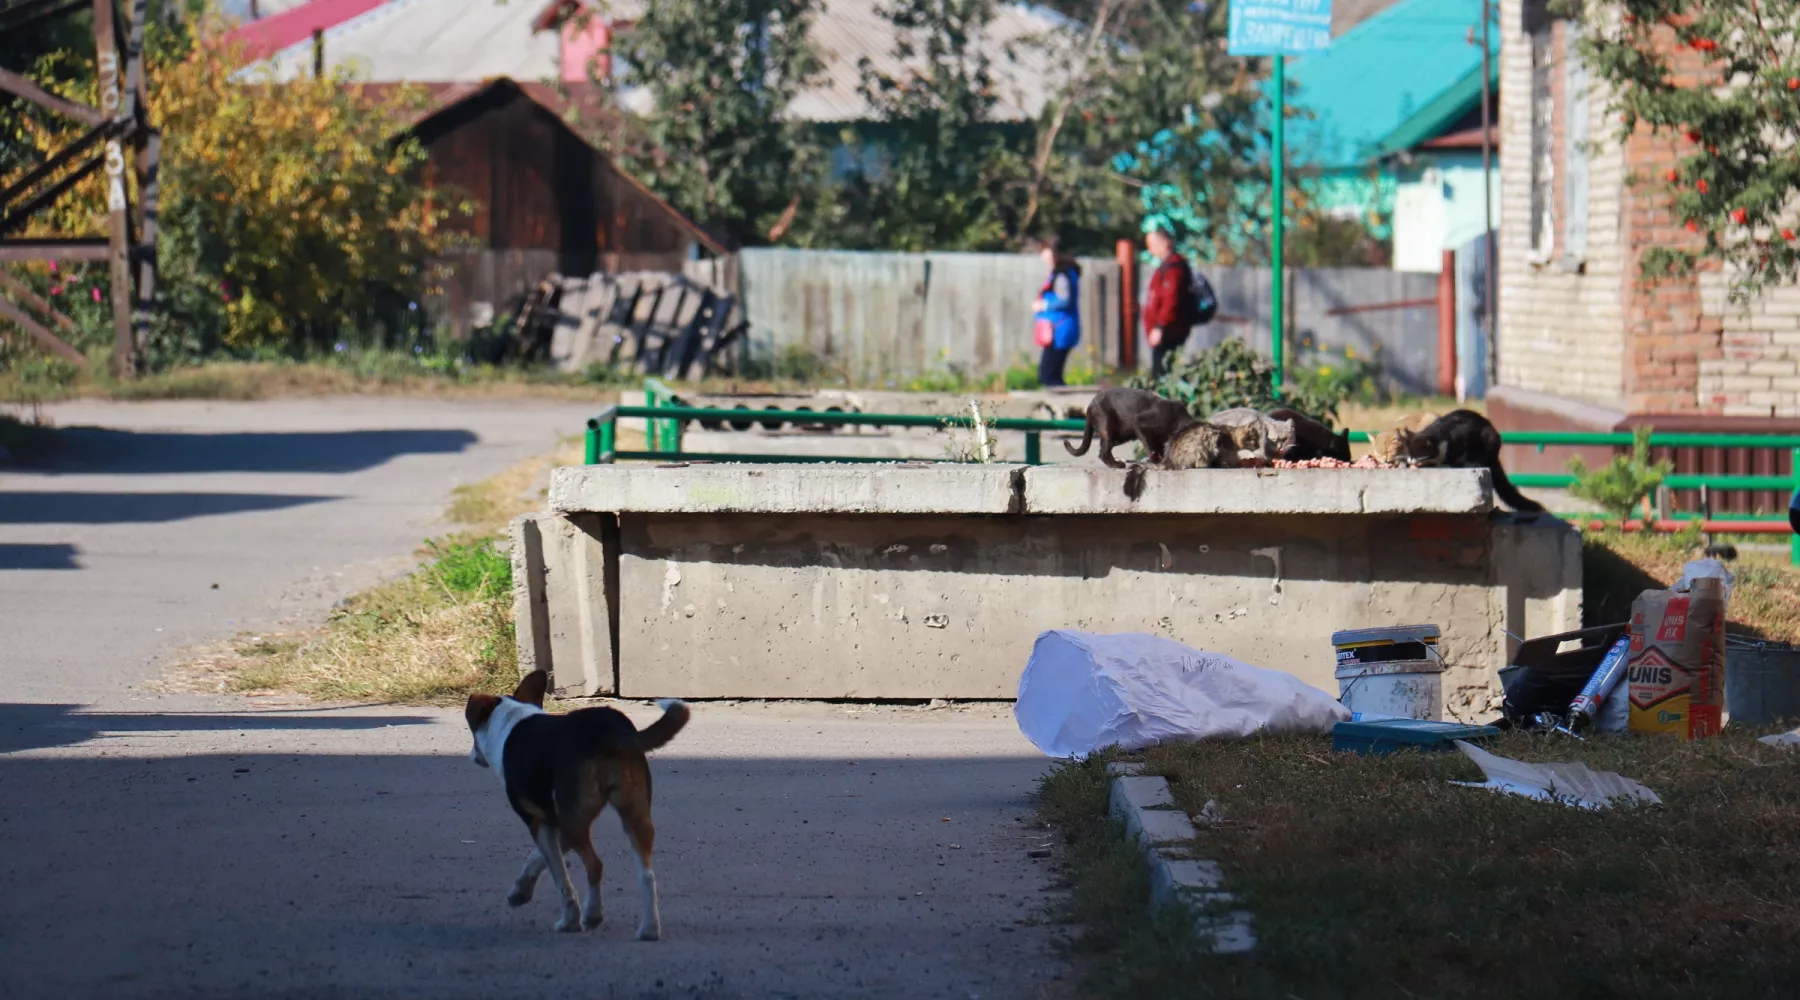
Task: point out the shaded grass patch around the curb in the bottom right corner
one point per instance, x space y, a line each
1374 877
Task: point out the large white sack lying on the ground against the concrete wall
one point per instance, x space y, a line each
1084 692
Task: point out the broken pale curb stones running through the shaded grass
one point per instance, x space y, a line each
1165 834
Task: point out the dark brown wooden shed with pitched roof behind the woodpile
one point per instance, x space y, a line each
544 201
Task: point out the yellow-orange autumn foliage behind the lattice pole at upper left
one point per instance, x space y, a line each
291 213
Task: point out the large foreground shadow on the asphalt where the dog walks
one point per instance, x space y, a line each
343 873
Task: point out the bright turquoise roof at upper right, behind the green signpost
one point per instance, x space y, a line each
1390 84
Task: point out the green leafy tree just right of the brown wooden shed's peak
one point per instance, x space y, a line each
717 141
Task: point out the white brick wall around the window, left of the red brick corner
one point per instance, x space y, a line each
1560 332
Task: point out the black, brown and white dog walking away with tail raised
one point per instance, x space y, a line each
559 774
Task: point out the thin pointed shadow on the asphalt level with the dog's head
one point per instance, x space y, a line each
37 728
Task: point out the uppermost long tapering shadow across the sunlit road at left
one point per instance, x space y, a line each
102 451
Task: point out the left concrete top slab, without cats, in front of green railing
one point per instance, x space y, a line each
789 490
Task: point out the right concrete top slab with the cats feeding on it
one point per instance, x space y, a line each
1086 490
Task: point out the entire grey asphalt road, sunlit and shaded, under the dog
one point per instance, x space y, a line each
206 846
